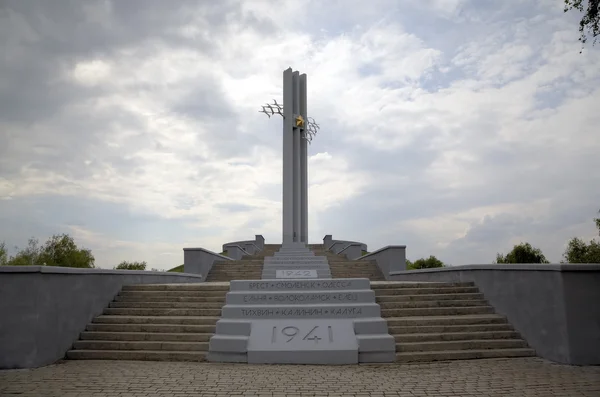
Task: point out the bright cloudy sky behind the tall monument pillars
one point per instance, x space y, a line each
456 127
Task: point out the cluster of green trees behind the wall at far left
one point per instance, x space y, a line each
59 250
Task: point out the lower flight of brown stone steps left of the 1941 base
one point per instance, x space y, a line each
172 322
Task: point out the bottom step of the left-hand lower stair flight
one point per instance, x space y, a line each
140 355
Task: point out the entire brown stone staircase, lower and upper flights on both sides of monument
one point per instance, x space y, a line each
174 322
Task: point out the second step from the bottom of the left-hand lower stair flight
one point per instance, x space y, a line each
139 345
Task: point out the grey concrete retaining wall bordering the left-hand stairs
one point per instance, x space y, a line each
43 309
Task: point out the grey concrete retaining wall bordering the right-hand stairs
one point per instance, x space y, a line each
556 307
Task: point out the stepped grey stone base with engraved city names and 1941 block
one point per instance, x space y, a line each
320 321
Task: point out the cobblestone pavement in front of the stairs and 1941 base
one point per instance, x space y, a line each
494 377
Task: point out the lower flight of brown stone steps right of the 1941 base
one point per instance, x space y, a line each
445 321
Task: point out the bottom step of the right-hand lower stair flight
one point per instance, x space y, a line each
463 354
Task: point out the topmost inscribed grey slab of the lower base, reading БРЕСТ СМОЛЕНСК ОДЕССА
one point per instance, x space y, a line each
299 285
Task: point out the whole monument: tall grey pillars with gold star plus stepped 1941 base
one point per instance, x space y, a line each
298 314
